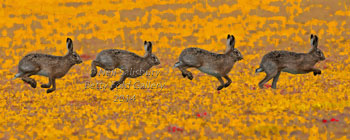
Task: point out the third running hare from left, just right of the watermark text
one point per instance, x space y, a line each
217 65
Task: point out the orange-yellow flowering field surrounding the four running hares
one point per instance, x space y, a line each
184 109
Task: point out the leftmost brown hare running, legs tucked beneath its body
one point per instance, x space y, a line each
50 66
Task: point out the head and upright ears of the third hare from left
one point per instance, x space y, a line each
230 49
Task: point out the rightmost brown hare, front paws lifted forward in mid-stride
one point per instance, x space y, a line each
275 62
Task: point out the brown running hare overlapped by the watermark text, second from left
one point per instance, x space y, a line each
131 64
